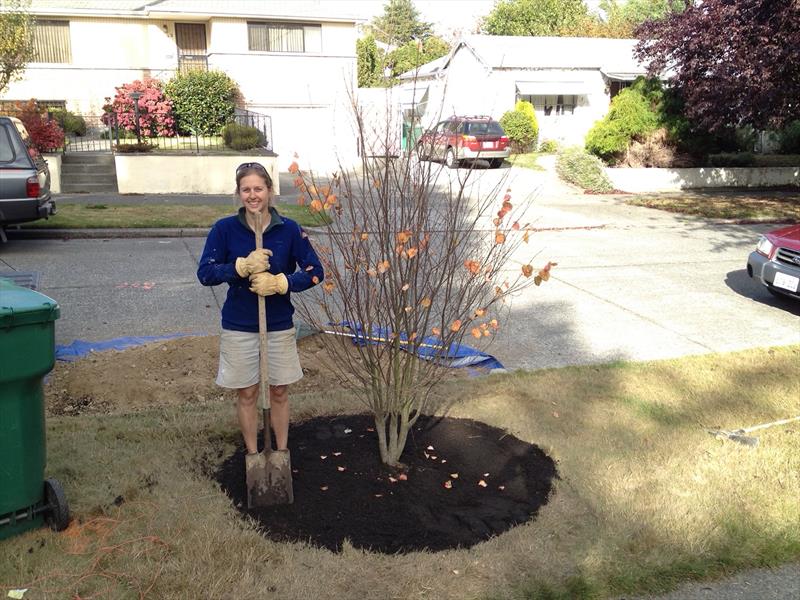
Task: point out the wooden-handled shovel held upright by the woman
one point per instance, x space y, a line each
268 473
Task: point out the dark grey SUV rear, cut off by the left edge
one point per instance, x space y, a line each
24 177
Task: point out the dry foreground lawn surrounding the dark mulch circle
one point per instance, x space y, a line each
646 496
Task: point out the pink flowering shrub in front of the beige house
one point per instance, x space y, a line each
156 117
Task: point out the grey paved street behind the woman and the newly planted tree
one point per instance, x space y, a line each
631 283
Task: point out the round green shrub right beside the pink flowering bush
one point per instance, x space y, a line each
204 101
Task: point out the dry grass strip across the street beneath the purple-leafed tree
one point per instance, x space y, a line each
762 205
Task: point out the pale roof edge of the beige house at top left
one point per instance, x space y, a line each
348 11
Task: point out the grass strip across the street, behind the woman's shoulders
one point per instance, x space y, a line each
101 216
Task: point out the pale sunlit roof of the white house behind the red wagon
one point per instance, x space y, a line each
525 52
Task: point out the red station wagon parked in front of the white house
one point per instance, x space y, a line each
465 138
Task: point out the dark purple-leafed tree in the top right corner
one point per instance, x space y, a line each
735 62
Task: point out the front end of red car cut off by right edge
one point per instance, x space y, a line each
776 261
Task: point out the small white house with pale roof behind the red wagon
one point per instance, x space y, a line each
569 81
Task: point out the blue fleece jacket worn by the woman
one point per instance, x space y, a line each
231 238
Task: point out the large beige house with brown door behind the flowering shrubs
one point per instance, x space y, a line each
293 61
